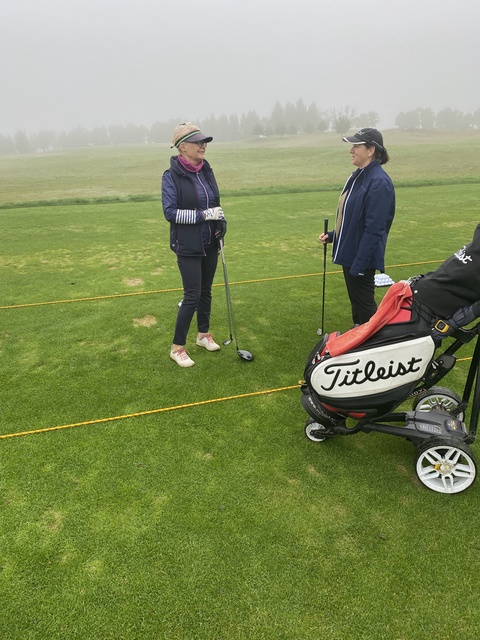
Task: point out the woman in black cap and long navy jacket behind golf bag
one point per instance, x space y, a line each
364 216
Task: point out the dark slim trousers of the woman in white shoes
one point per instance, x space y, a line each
197 277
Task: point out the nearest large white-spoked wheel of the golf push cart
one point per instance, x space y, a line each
445 465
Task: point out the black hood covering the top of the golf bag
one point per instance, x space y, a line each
451 293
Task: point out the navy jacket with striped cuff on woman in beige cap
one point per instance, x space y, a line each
185 195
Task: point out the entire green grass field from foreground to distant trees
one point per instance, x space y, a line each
140 501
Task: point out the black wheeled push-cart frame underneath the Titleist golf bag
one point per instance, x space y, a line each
444 461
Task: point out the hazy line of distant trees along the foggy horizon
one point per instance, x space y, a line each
284 120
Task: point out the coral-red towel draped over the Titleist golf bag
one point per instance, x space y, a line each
389 307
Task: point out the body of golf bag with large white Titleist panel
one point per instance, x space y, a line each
374 377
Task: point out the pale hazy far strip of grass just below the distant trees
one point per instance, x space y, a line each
297 163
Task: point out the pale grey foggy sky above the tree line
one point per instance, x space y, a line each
65 63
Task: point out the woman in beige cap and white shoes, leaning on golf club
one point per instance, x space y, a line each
191 203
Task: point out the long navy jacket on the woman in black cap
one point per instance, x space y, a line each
368 213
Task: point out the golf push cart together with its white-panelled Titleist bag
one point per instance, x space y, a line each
367 383
